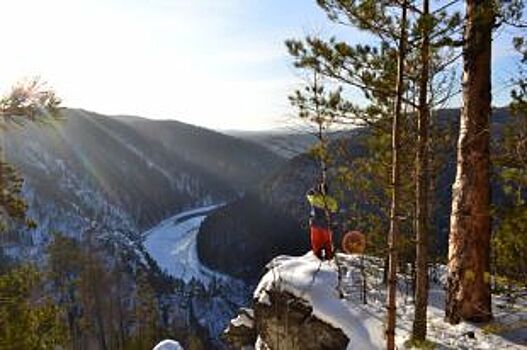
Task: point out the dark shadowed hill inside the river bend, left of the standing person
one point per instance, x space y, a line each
241 237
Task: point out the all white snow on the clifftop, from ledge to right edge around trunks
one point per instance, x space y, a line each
307 278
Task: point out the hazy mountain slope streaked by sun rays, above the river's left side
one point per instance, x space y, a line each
128 173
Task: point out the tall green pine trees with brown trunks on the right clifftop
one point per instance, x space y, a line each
406 78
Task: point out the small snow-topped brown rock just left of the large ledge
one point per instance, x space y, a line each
241 333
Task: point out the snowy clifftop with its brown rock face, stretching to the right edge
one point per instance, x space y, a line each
307 286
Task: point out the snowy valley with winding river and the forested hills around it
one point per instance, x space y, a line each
201 223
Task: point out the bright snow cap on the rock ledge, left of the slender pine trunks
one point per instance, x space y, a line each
316 282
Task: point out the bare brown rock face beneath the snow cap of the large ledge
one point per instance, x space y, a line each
287 323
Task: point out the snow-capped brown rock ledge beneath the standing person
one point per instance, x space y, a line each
298 299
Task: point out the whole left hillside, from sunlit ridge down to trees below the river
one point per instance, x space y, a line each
93 186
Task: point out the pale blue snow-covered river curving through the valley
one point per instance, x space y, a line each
172 244
